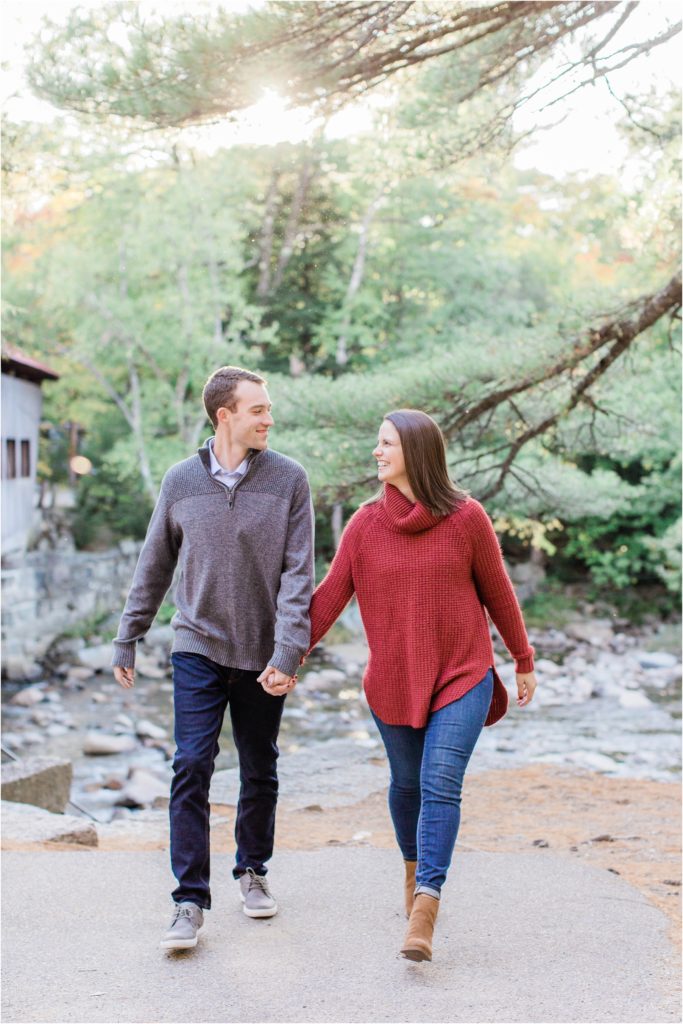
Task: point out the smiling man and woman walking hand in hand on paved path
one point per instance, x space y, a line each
425 566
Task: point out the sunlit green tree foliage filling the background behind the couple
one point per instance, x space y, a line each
410 267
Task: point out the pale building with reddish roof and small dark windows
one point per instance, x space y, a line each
22 405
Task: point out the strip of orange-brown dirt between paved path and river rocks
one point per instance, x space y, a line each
629 827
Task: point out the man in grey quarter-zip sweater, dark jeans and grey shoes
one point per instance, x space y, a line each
238 518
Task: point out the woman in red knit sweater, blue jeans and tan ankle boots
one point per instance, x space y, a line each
424 562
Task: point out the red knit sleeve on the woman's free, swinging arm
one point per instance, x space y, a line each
496 590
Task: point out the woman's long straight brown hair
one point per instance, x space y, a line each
424 452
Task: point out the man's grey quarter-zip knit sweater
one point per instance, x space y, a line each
246 559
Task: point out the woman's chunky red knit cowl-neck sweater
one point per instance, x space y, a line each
423 584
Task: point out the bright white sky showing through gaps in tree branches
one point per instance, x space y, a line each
582 138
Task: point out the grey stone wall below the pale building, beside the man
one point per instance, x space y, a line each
46 593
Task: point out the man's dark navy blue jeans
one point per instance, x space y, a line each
202 692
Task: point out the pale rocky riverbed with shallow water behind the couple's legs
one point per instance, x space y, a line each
609 700
